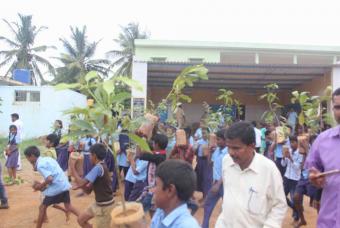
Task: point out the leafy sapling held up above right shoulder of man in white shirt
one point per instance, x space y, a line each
270 116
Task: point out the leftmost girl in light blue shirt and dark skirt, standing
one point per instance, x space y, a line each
12 153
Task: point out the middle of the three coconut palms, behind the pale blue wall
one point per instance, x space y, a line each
77 59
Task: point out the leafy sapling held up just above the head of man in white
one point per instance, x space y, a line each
229 102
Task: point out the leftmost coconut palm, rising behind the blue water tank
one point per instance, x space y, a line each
23 54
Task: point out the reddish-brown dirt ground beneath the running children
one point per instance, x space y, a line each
24 207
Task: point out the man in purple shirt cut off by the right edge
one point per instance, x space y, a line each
325 156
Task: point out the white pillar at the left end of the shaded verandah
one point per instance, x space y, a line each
138 98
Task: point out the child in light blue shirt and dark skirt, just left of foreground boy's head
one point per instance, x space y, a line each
139 172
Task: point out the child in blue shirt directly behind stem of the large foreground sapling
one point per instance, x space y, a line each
123 163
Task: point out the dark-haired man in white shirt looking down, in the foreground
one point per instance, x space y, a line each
253 188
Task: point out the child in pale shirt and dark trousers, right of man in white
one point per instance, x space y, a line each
293 160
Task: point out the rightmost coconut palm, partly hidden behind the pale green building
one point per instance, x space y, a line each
124 57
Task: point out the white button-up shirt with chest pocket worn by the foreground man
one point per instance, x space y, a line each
253 197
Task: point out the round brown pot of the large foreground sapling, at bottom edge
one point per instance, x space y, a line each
133 217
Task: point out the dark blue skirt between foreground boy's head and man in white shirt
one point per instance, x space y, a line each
204 175
